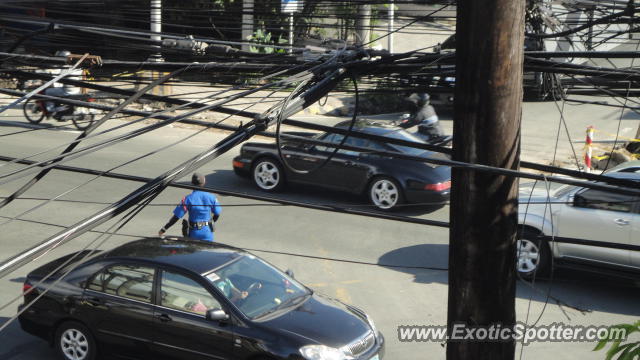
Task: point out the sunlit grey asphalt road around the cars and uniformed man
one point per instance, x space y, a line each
394 295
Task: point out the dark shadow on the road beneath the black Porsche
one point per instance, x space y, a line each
227 180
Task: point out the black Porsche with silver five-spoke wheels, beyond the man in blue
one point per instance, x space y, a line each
387 182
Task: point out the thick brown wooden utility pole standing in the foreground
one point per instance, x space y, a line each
488 96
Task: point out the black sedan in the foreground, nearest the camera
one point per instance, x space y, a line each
184 299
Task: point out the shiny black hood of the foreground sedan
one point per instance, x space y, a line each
320 320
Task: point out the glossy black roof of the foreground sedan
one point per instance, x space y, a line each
193 255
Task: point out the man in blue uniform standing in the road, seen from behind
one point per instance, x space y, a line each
200 205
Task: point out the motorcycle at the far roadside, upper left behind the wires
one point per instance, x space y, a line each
35 110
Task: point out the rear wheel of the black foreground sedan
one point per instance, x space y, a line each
74 342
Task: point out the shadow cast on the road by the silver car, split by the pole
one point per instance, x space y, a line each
568 288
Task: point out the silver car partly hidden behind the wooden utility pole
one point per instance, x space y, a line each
578 227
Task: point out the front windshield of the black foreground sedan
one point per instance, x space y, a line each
255 287
